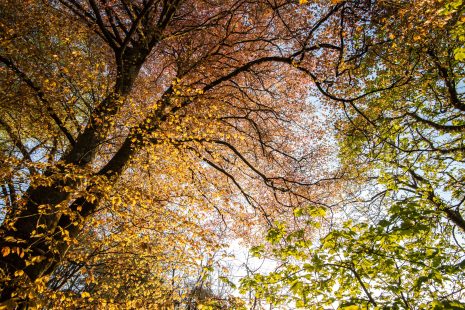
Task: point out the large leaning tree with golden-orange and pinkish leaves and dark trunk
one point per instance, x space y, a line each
171 107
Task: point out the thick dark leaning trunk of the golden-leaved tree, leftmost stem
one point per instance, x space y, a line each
37 226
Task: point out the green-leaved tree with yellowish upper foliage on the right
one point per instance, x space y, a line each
400 247
